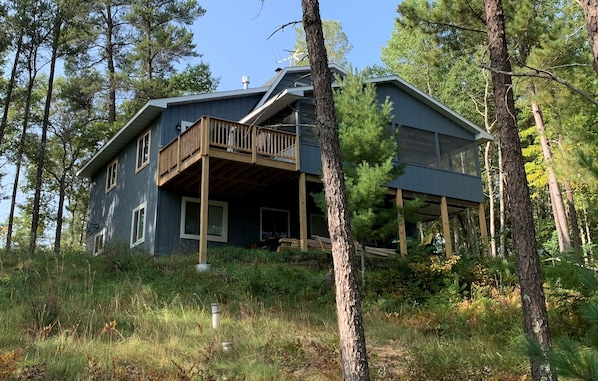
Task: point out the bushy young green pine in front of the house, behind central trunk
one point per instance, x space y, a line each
368 148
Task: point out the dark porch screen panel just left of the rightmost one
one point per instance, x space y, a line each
417 147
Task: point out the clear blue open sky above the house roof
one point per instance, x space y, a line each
233 36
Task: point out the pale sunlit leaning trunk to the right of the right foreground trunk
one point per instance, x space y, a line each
558 208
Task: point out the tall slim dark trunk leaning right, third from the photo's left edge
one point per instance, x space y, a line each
43 141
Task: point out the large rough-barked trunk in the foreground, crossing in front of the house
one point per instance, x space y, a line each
348 303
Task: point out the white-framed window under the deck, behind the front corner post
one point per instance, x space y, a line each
217 219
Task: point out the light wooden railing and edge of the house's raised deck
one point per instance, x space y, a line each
230 141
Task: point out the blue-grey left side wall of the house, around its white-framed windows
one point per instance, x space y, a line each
112 211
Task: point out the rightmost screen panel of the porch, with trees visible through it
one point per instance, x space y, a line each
457 155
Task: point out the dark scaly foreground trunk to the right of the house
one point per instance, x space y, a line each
528 262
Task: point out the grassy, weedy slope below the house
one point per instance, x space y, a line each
130 316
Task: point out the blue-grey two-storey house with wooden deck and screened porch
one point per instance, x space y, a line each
237 167
